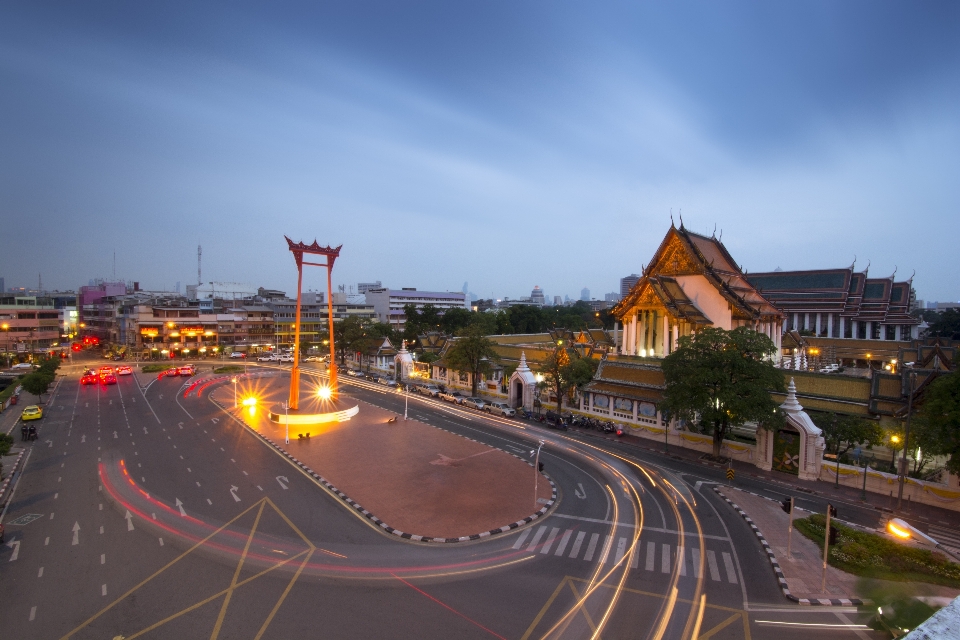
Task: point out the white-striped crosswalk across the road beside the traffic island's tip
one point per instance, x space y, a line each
605 549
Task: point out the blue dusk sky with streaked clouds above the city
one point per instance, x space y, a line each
504 144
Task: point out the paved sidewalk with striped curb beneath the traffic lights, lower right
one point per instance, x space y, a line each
803 569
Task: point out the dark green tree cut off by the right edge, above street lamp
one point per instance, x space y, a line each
937 422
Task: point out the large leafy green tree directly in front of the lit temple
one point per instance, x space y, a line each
719 379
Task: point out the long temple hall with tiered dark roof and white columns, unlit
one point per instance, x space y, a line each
841 303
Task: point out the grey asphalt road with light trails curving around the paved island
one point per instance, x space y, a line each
140 513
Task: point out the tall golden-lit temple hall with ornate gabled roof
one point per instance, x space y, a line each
692 282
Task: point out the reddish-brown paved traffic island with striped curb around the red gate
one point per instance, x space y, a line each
412 479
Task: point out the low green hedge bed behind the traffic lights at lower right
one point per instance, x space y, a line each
875 556
